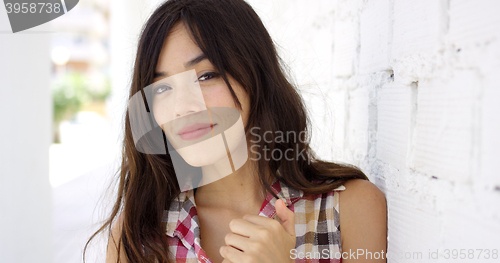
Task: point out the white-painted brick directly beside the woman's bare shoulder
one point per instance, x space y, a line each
413 220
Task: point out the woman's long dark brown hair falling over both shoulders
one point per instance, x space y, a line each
235 41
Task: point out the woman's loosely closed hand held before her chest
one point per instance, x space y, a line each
259 239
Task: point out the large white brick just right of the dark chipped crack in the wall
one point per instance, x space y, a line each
444 126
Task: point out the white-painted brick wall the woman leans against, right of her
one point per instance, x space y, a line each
412 98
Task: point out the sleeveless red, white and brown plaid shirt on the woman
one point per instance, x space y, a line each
316 225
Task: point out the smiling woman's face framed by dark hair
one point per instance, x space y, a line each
193 104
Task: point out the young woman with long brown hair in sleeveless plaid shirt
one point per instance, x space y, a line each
260 209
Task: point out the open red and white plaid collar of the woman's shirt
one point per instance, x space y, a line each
182 210
